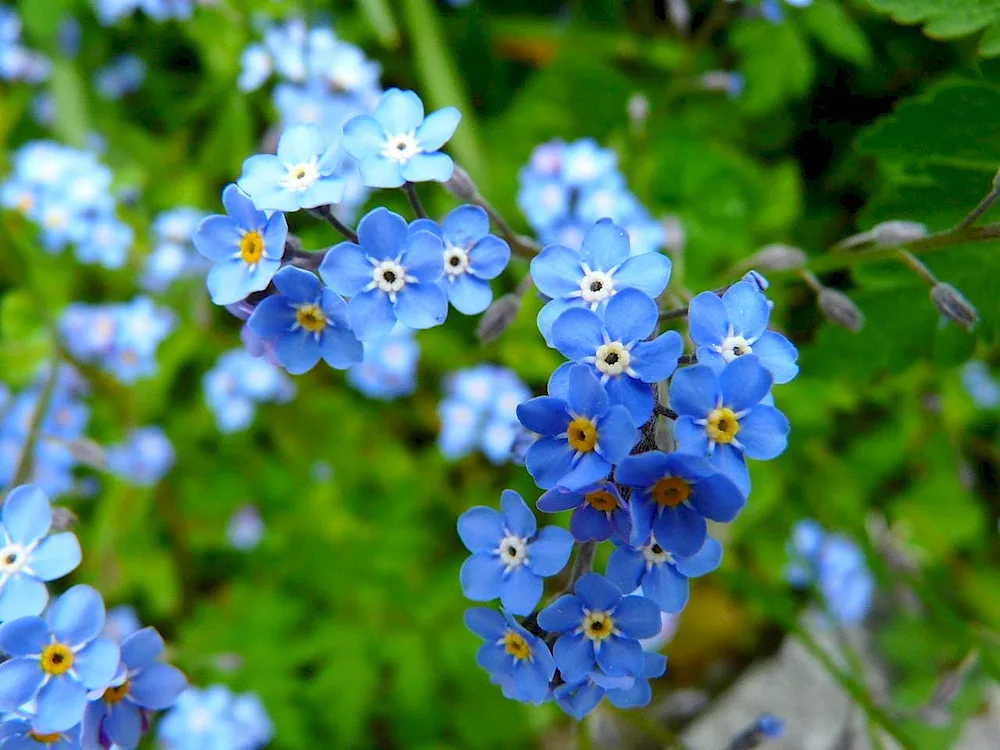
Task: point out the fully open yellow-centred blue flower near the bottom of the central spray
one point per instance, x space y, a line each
600 629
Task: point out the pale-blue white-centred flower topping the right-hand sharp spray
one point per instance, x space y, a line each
591 277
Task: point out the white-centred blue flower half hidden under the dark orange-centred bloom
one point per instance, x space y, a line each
663 576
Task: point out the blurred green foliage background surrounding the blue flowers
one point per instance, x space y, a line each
347 619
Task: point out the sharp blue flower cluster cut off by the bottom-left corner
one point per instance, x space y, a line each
63 682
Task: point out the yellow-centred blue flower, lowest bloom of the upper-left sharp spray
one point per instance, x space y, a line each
308 322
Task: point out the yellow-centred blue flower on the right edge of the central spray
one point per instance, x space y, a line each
722 417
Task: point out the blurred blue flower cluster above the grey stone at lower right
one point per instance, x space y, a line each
836 566
